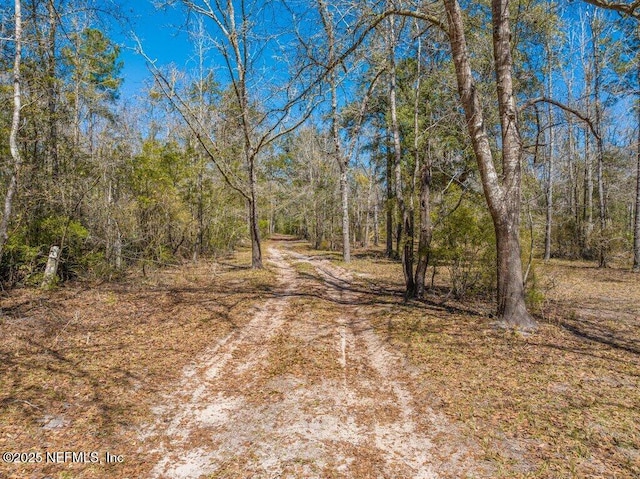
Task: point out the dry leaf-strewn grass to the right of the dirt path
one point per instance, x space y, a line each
564 402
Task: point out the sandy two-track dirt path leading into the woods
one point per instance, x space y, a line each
306 389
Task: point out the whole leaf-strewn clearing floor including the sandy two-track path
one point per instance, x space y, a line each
313 368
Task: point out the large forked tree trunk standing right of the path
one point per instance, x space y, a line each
502 192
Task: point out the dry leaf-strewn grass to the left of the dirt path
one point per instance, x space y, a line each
95 359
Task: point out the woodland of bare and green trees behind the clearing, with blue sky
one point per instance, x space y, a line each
347 124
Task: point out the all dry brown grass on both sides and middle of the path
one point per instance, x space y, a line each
563 402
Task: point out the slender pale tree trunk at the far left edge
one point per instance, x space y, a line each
13 135
